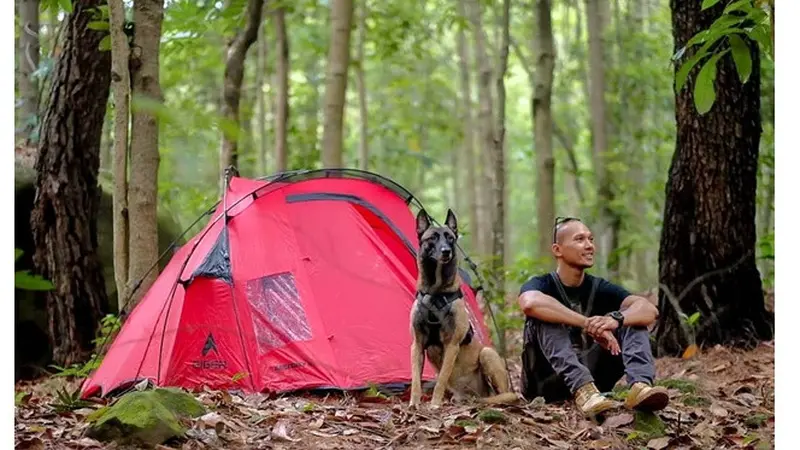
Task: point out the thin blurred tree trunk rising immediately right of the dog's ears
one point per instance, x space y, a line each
468 137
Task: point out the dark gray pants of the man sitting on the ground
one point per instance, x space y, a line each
554 369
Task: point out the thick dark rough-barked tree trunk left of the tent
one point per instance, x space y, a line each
64 216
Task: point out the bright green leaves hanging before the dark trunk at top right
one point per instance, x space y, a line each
741 21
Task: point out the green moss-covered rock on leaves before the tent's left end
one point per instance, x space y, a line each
146 418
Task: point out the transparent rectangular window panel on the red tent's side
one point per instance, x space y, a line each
278 315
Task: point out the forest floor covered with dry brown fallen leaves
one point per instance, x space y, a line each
721 398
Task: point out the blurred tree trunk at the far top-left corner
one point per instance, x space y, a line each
28 63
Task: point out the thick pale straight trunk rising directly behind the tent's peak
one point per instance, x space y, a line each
336 83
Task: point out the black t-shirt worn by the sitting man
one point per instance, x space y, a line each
608 296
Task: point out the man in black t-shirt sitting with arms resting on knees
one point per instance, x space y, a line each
579 350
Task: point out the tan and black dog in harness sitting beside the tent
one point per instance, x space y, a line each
440 326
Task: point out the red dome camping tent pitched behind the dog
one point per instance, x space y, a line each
306 283
